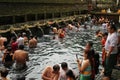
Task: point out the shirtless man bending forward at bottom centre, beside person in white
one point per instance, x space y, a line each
51 73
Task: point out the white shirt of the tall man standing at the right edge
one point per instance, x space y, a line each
112 41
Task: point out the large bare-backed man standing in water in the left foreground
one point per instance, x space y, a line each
20 56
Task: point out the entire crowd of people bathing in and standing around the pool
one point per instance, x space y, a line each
13 54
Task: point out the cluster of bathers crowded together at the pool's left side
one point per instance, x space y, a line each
12 53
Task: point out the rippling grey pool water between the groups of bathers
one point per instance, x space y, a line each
50 52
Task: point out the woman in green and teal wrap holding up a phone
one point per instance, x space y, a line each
85 66
